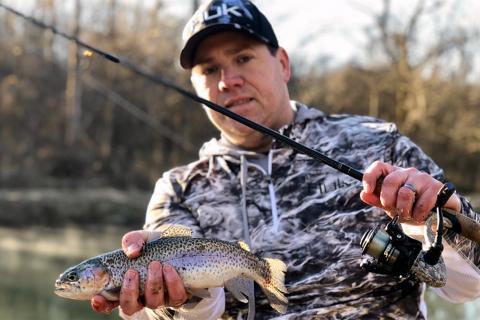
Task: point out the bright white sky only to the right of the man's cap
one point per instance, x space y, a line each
340 25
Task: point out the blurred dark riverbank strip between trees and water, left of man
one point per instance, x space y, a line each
72 207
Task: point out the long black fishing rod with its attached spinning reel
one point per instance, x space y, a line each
374 242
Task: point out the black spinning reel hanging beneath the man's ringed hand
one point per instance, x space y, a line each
392 252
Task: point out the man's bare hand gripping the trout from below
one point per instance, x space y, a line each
163 286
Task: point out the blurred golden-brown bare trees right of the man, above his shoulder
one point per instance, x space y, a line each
405 80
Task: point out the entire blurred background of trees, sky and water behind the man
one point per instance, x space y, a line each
82 140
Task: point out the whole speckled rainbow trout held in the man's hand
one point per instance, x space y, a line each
201 263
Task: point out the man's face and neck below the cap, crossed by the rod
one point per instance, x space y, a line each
239 73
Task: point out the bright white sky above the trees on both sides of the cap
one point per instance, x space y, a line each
312 30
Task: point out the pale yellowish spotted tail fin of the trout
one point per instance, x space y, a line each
273 285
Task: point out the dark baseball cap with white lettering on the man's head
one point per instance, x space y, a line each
224 15
